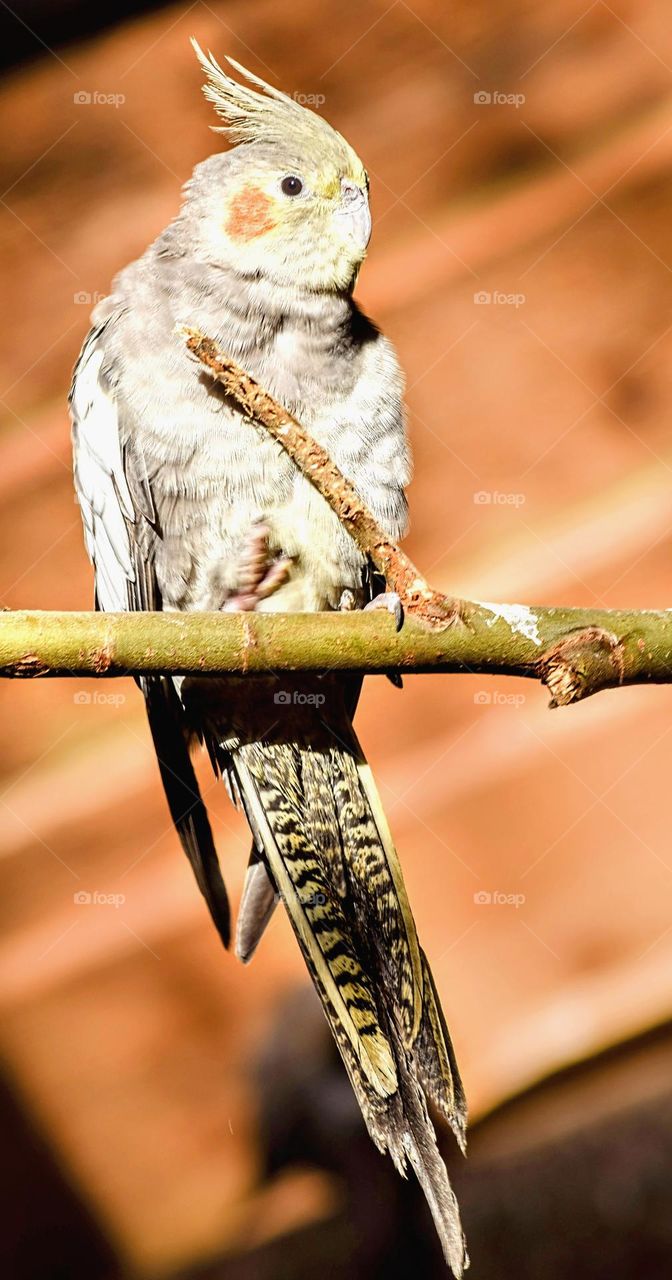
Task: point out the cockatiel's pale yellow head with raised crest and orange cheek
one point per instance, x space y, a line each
291 202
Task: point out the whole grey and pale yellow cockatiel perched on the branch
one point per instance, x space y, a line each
186 506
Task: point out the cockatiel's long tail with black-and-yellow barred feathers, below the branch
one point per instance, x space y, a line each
321 830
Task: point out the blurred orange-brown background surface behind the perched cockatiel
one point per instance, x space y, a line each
522 182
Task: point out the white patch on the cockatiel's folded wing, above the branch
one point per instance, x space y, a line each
100 482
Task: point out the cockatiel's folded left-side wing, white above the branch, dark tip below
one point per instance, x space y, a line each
122 536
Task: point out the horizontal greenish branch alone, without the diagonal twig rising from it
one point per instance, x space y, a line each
574 652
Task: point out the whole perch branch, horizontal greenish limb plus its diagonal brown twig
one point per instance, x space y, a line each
574 652
